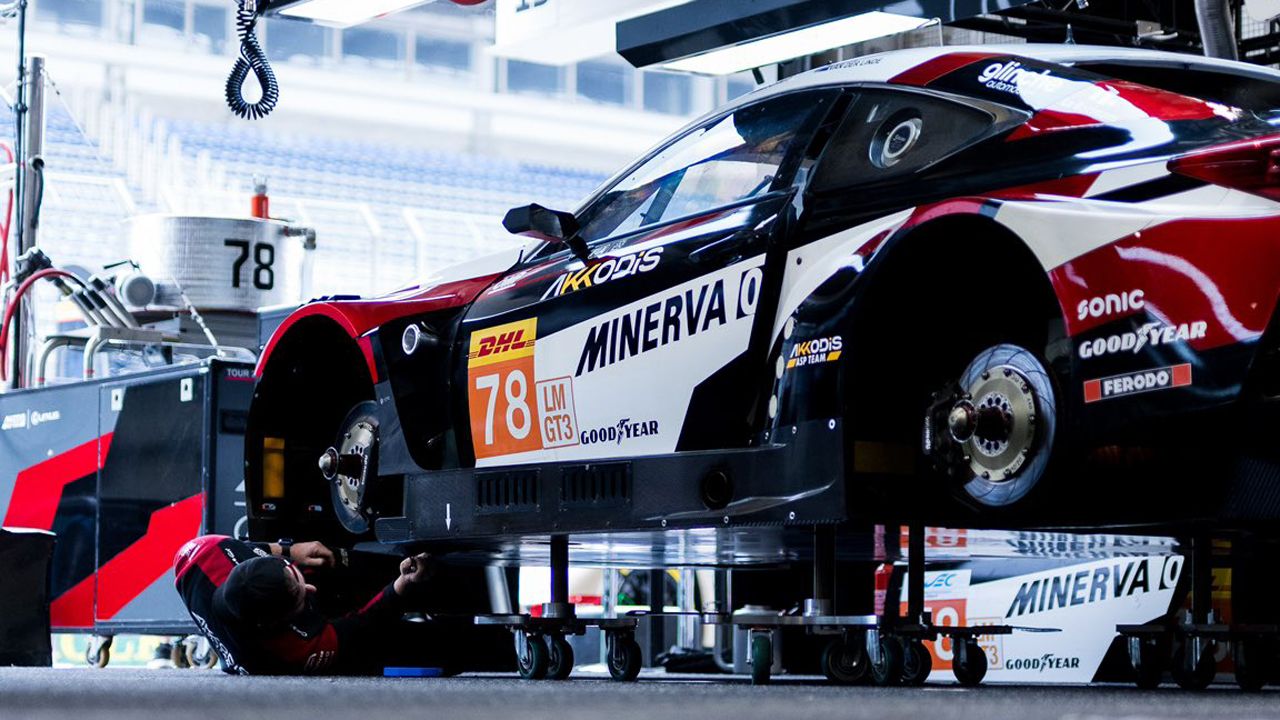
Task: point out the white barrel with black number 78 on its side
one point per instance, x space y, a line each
221 263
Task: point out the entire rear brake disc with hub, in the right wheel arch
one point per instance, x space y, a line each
995 432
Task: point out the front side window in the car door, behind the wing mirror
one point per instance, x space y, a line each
734 158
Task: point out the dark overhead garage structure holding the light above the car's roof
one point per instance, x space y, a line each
679 38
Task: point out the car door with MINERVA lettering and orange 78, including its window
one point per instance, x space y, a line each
572 358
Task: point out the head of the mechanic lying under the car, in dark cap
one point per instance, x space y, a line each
264 593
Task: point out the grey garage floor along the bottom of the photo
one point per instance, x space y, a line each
126 694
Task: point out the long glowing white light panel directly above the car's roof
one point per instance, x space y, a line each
797 44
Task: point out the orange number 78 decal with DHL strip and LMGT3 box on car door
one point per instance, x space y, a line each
501 376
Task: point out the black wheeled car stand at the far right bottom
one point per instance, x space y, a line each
1188 650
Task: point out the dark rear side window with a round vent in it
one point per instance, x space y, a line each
889 135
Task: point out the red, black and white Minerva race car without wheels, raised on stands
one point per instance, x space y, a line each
977 286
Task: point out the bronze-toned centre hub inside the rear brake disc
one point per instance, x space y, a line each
995 423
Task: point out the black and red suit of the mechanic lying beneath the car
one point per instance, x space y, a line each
309 645
